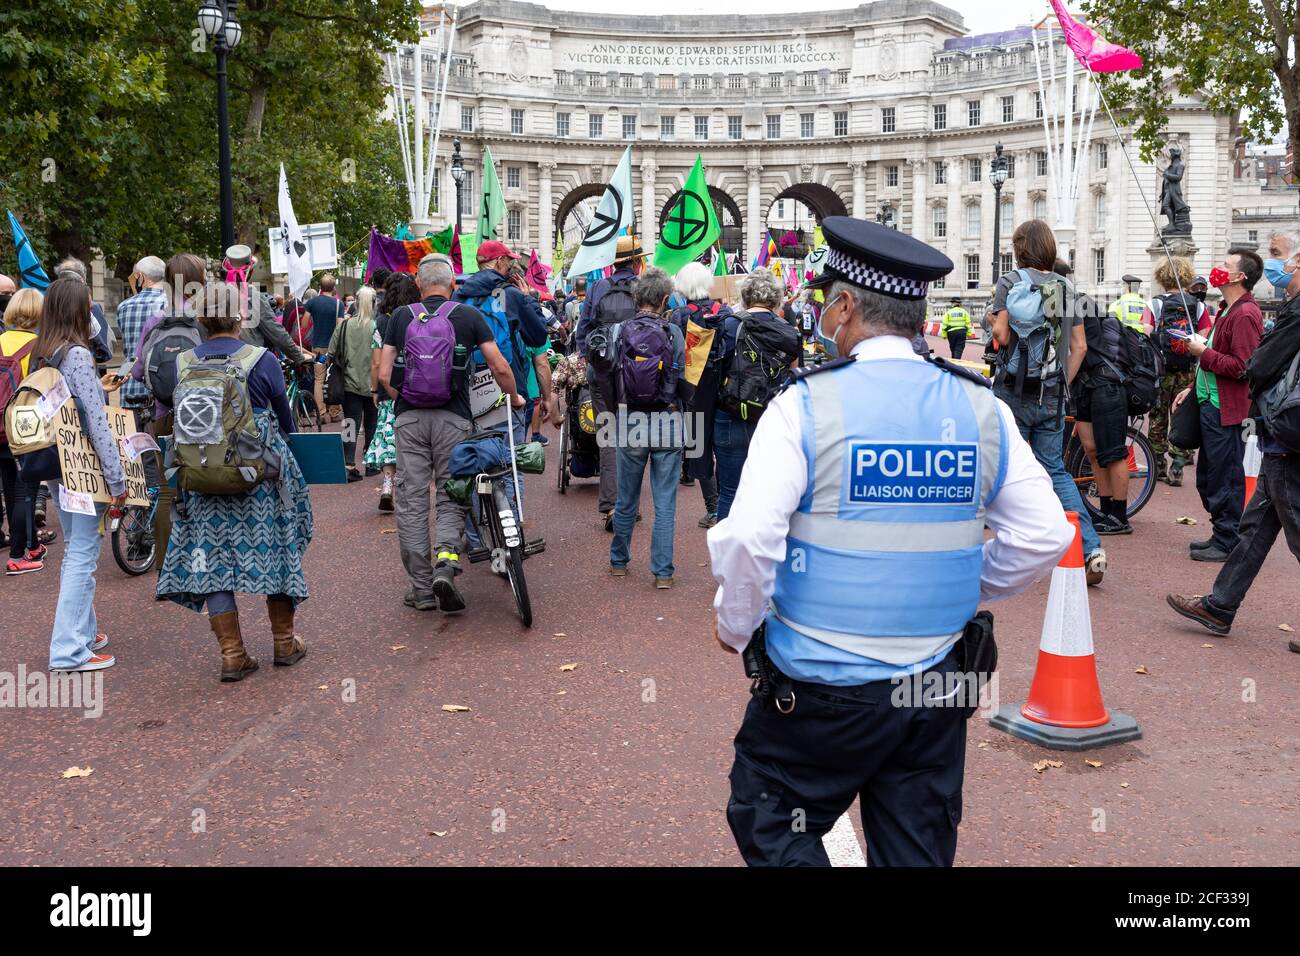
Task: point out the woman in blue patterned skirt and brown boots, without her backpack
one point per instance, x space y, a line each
253 543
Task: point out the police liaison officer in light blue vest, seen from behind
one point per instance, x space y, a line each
857 544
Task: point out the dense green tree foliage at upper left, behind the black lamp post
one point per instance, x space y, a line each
123 97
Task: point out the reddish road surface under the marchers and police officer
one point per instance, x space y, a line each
623 760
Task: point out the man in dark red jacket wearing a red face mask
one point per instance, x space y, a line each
1224 399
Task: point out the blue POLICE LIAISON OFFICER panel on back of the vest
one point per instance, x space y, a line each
905 473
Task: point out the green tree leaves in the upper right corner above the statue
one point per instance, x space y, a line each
1238 58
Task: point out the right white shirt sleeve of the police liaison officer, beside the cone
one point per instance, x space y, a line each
1029 525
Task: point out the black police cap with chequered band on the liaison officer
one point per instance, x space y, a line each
878 258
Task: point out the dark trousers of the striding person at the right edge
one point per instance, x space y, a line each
1275 509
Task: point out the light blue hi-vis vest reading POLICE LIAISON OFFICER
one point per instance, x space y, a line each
883 556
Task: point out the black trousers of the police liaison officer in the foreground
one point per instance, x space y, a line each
796 775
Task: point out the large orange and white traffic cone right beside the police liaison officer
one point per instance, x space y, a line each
1065 711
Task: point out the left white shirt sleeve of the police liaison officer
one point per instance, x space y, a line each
751 543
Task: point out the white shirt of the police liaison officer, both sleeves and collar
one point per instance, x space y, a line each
1030 527
